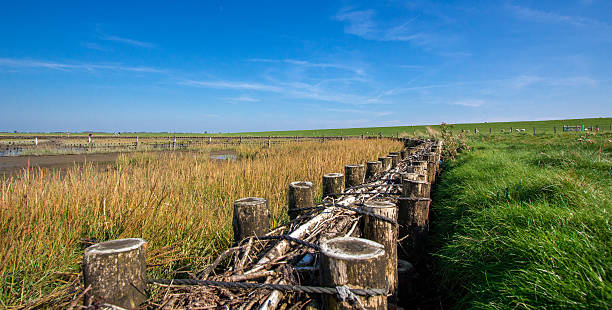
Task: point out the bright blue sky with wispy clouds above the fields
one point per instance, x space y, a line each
264 65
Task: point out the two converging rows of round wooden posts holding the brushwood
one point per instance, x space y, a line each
115 270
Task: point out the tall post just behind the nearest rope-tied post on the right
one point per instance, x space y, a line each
384 233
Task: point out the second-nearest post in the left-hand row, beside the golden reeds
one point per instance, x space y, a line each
251 217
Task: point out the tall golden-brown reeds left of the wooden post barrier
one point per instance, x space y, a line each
181 203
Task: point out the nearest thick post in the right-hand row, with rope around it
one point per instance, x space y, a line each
355 263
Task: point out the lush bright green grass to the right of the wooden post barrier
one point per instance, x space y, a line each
524 223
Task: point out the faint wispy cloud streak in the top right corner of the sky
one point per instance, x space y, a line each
552 17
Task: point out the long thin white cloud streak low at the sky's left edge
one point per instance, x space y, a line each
41 64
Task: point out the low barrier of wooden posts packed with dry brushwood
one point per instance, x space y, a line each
288 267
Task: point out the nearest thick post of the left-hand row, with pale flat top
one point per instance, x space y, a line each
116 272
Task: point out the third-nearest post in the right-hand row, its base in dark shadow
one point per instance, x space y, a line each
414 223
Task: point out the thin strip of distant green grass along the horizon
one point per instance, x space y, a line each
541 127
